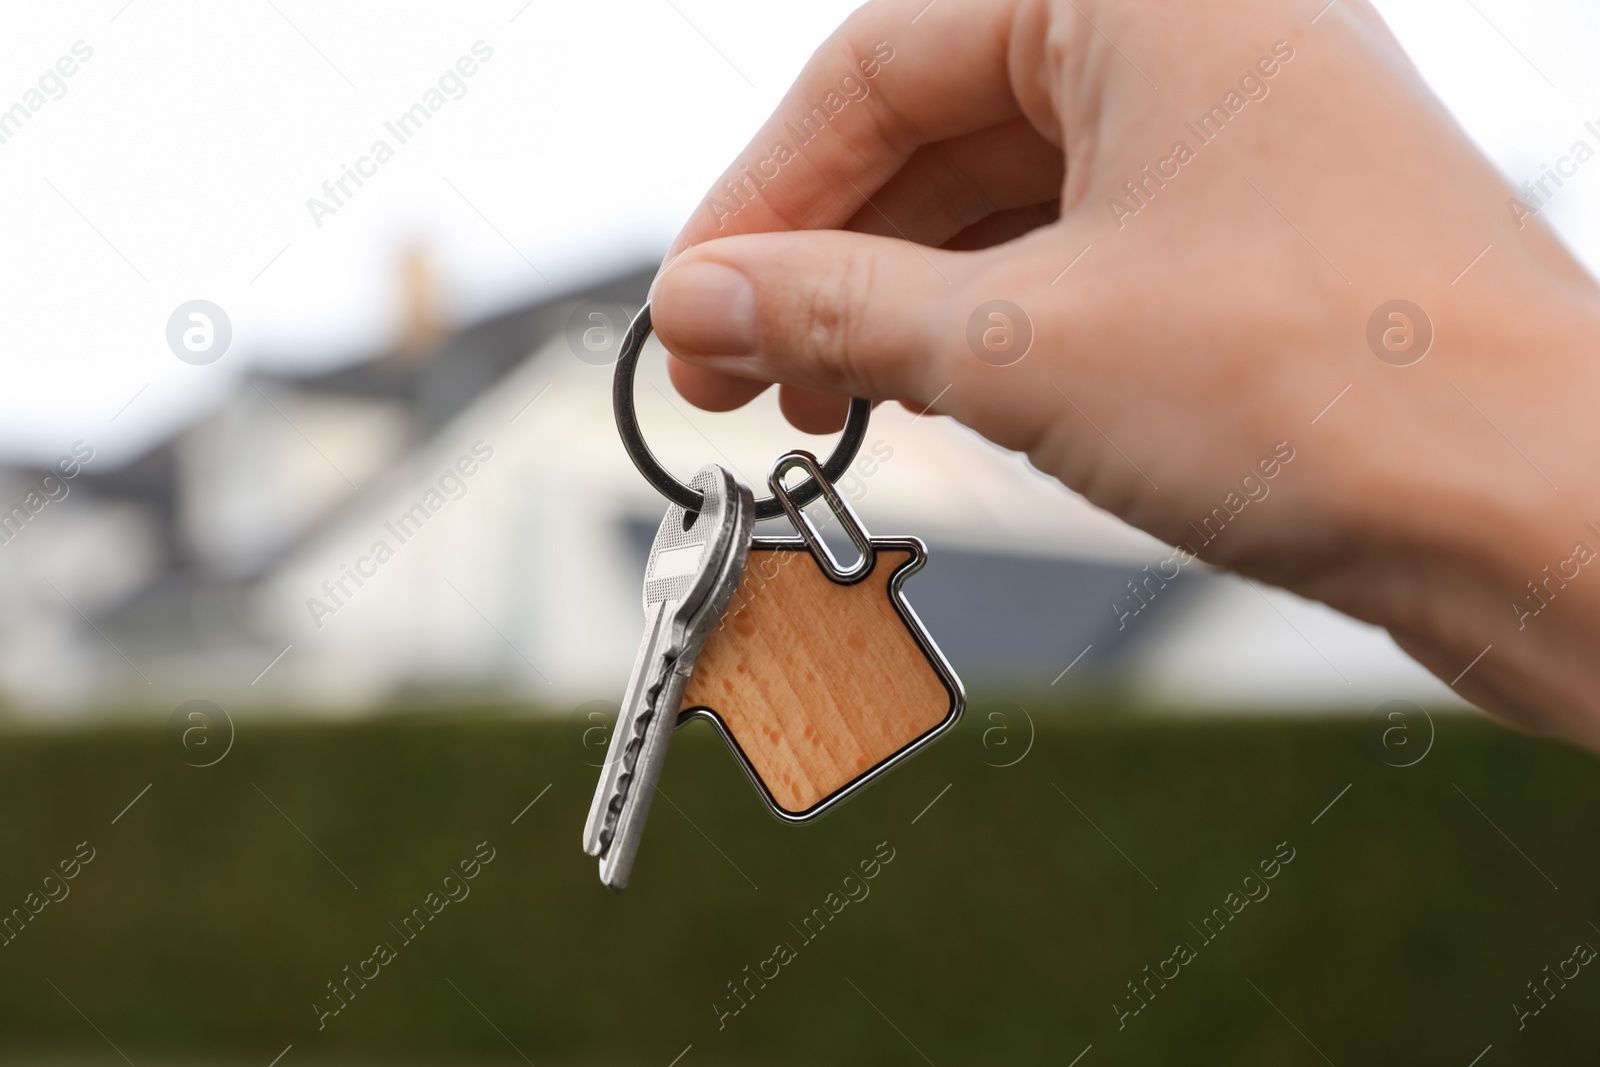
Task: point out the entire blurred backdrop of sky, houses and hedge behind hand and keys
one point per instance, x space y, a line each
257 377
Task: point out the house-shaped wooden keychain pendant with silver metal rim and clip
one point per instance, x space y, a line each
818 677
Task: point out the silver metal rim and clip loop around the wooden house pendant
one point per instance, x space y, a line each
809 541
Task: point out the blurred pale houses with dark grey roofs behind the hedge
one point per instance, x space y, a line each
457 516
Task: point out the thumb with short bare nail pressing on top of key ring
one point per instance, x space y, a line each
838 313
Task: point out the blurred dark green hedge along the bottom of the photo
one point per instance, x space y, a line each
1004 927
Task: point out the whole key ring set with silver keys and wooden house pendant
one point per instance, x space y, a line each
820 677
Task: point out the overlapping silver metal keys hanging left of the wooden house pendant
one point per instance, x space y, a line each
695 567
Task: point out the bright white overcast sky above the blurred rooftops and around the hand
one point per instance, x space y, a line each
175 164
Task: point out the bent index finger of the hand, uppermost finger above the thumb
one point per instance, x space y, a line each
897 76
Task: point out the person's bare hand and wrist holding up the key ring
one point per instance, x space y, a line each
1202 330
